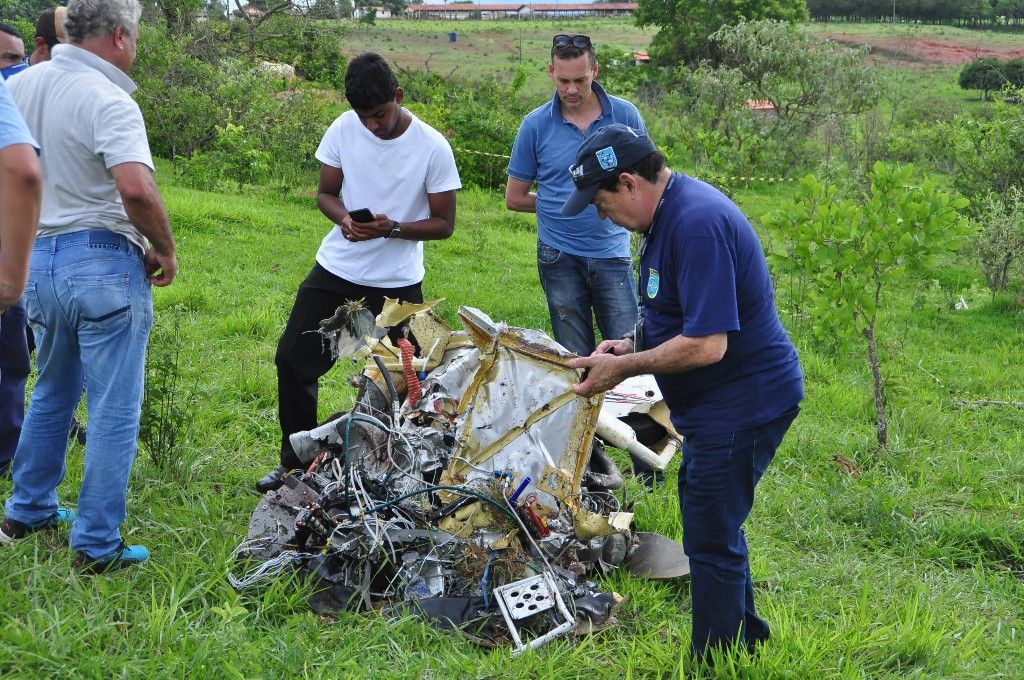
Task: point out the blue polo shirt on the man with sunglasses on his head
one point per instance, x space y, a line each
545 148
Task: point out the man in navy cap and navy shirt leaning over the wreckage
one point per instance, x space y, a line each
710 333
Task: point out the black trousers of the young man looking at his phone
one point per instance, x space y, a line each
304 357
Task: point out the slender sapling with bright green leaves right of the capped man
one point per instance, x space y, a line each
854 251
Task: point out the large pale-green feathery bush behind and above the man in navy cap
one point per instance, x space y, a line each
814 93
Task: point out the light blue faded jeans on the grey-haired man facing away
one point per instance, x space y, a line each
91 309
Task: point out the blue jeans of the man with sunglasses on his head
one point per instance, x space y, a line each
580 289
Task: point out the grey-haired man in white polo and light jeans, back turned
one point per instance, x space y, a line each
104 240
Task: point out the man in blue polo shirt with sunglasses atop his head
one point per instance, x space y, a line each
584 262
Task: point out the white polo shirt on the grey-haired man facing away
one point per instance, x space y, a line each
79 109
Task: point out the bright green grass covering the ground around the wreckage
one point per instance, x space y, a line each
915 569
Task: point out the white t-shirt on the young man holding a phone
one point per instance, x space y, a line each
388 177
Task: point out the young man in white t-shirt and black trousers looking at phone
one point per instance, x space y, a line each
382 158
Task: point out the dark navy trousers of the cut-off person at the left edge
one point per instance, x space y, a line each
15 369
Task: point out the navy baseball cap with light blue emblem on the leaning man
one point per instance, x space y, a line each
605 154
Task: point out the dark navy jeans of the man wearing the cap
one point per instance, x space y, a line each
717 478
